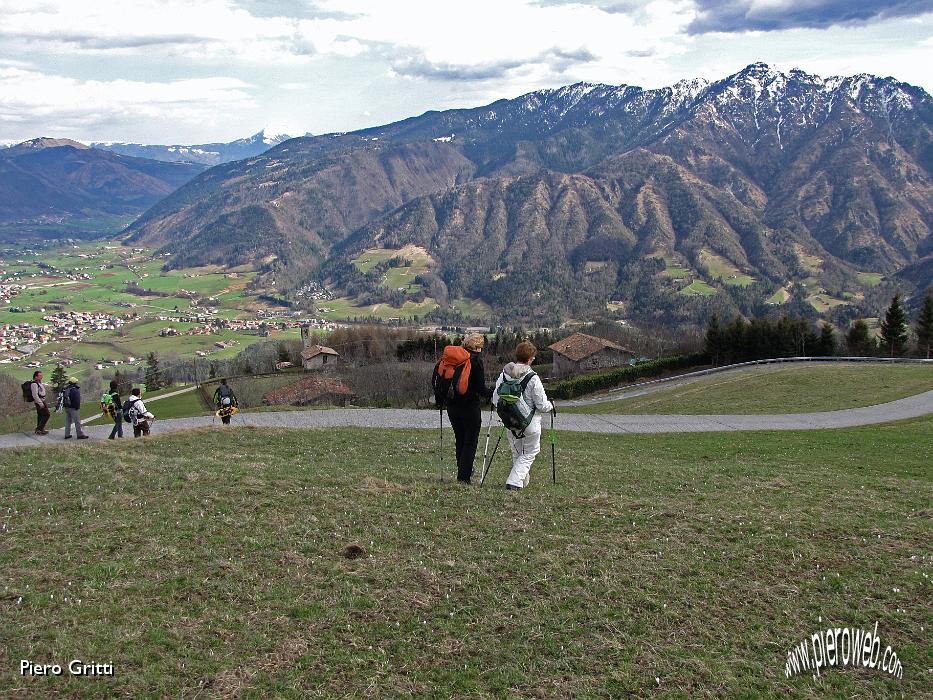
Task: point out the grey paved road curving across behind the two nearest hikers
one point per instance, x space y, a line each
911 407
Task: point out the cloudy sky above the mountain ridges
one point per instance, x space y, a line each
189 71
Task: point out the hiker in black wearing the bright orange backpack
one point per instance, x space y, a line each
463 401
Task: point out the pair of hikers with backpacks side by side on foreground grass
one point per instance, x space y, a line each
518 397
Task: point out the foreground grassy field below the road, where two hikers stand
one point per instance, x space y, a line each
336 564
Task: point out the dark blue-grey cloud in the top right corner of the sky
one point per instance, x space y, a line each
753 15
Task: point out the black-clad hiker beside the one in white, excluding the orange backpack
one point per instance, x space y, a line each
464 410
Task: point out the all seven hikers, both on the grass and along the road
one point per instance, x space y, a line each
459 384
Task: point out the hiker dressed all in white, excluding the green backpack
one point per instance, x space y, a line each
527 443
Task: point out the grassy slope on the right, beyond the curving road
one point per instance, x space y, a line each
779 389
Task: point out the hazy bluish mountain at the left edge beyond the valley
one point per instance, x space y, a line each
52 187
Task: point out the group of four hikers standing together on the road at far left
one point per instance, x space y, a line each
133 410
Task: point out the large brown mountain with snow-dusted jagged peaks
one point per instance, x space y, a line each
584 194
